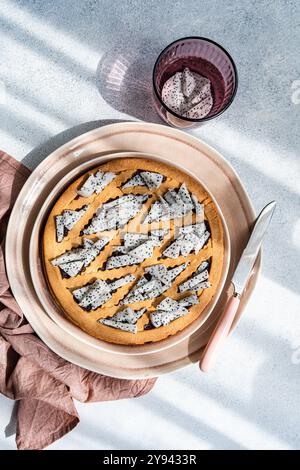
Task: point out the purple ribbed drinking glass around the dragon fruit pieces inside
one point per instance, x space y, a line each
202 56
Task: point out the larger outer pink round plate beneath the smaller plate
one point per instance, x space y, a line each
179 148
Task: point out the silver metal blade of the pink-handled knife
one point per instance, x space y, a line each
249 255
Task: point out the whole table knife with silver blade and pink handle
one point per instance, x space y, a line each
239 281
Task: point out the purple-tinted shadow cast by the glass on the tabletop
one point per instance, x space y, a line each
124 80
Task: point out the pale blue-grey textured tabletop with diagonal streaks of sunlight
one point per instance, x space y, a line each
56 57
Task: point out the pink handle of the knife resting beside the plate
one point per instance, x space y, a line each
219 334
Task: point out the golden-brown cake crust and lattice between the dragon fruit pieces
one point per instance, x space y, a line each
62 288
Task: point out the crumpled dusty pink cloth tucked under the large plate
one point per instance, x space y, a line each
43 383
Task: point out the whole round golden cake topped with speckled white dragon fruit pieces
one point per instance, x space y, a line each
133 251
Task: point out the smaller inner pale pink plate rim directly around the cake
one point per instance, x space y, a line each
54 310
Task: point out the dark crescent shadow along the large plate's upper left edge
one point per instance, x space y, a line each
33 158
